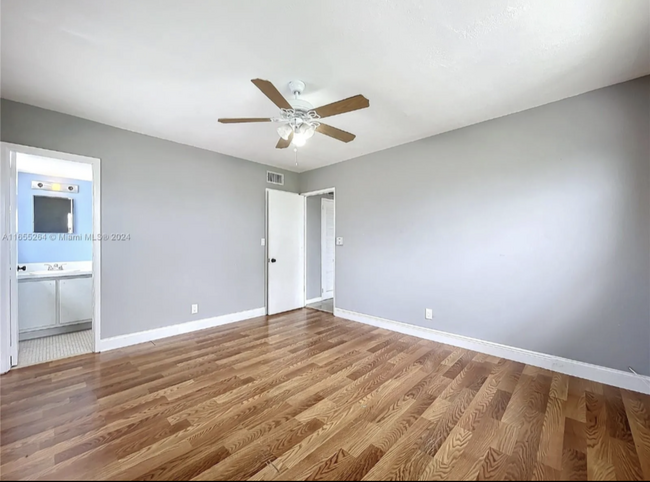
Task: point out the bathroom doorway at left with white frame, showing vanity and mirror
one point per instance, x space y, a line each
51 222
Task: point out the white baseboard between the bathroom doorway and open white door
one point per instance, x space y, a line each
166 331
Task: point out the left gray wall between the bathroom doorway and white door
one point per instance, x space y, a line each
195 218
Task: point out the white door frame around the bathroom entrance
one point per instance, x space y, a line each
8 259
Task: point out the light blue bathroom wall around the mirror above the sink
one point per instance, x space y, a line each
54 250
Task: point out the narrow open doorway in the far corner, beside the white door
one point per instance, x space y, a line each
320 250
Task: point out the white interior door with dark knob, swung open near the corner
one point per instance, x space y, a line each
285 251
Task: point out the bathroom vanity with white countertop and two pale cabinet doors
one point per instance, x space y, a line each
54 302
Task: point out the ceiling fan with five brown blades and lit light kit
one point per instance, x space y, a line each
300 120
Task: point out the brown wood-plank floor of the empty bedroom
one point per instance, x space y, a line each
308 396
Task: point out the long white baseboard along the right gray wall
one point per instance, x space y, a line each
608 376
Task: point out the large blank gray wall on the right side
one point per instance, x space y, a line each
531 230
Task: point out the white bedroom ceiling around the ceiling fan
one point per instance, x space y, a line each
171 68
